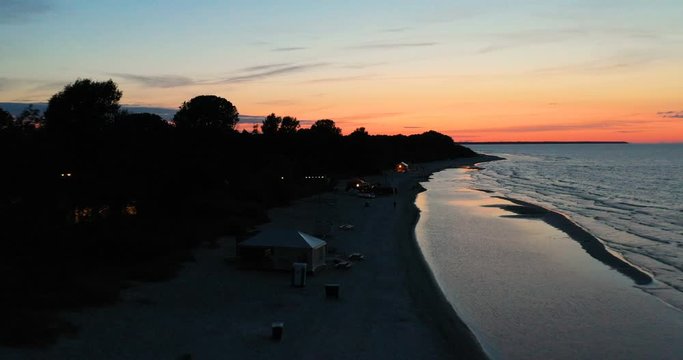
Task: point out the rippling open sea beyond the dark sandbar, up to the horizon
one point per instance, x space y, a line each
630 196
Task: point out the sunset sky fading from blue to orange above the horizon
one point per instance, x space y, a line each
545 70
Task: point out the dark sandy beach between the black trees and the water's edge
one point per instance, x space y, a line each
389 305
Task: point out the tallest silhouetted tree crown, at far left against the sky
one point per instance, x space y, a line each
85 105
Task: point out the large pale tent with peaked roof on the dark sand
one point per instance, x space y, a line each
278 249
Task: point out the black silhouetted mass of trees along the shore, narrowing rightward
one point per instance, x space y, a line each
91 192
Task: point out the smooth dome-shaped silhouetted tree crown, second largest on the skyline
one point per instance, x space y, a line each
207 112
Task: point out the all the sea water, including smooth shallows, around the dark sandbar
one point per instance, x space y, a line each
528 290
